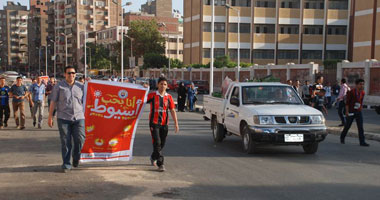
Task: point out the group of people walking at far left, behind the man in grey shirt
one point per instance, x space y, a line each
18 92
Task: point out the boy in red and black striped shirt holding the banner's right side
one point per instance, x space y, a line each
160 104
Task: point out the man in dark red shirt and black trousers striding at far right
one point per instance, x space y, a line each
354 106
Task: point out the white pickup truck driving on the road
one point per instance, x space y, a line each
265 113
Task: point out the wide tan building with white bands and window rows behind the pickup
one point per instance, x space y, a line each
271 31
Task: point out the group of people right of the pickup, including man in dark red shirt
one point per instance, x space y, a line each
349 102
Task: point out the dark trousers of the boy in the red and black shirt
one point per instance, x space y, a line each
158 134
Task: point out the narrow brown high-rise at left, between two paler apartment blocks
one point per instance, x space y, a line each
37 34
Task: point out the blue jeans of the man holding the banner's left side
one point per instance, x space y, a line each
67 130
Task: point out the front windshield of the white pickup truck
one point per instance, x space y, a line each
270 95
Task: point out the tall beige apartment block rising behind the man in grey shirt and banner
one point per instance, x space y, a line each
74 18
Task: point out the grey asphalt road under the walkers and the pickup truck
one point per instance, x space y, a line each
197 168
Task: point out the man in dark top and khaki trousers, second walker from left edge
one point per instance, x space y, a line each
19 92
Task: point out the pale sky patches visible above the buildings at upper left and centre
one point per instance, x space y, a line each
177 4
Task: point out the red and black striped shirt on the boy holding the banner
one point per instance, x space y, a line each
159 108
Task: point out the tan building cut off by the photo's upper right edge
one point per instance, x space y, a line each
365 29
